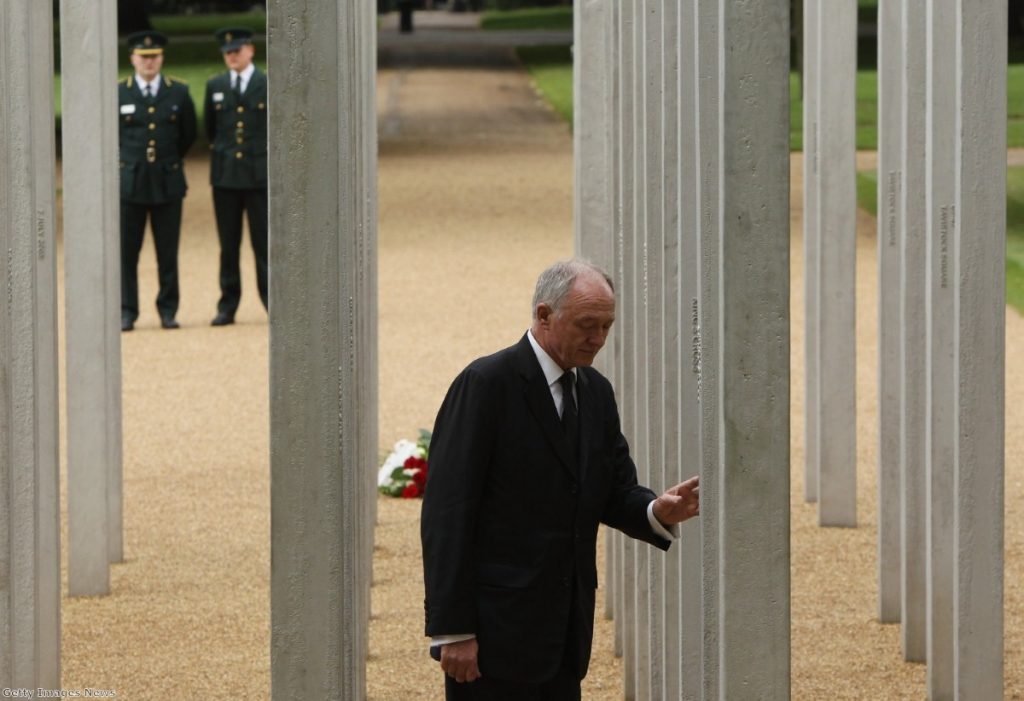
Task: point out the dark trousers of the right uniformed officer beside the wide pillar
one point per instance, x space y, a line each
229 205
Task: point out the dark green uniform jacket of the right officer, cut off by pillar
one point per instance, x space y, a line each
237 130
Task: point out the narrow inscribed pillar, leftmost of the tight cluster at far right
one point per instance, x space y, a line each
890 176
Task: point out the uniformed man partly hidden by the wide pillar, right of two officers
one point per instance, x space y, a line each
236 125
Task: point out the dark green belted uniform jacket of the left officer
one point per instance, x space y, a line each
155 136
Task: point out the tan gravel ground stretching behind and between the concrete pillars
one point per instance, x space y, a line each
476 199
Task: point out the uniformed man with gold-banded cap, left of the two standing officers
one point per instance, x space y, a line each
157 127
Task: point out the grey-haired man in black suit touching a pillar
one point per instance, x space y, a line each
527 460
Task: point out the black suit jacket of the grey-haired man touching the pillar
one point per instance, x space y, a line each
509 522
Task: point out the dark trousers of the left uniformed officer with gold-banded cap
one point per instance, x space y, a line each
165 220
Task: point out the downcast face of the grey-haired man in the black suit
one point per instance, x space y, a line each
575 334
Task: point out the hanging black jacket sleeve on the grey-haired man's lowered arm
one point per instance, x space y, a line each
460 455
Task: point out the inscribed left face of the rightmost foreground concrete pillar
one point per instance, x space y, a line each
941 319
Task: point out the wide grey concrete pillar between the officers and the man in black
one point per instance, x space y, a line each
323 382
